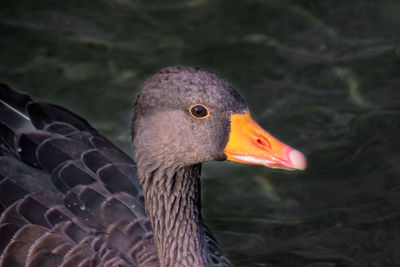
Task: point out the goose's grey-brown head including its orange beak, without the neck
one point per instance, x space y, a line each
186 115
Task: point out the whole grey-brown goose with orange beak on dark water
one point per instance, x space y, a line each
69 197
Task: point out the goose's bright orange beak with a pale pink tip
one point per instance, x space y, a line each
251 144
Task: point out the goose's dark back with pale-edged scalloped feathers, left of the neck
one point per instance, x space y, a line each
68 196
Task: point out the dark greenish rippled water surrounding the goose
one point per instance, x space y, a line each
323 76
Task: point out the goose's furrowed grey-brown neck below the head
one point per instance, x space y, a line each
172 199
